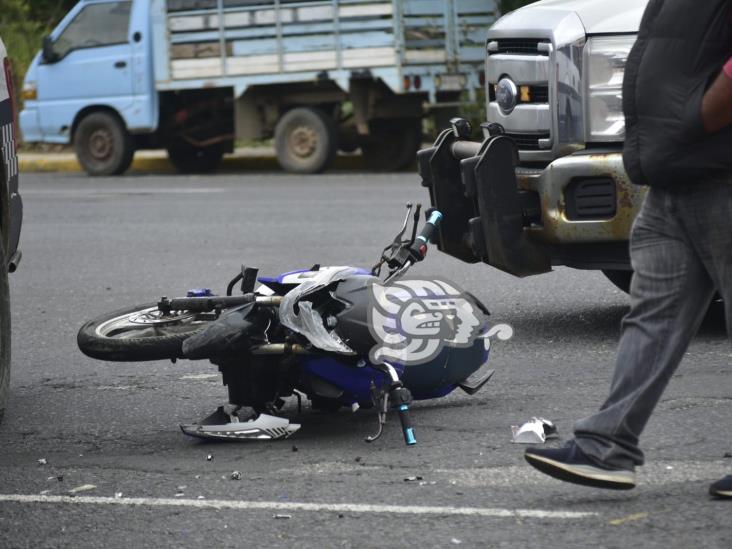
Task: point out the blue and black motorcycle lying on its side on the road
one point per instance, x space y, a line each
339 336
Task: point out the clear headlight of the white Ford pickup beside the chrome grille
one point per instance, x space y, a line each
605 58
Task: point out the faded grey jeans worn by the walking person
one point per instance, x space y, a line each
681 250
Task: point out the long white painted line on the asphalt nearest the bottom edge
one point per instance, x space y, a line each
294 506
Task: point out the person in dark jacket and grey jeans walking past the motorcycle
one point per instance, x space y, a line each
677 100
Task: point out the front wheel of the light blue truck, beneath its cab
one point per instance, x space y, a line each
103 145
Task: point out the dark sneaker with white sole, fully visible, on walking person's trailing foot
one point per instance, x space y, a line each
572 465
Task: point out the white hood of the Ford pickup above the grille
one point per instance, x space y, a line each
597 16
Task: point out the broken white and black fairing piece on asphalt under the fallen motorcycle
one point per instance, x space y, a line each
223 426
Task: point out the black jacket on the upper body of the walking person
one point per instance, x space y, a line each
681 48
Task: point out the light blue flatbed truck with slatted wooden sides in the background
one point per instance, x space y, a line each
194 76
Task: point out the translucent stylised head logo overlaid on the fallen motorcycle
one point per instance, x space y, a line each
412 320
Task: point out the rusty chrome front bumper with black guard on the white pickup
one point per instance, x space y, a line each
578 211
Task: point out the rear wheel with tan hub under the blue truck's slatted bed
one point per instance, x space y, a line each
306 140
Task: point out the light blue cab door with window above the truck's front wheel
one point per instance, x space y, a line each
90 65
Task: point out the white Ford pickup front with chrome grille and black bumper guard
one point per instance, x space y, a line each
554 190
